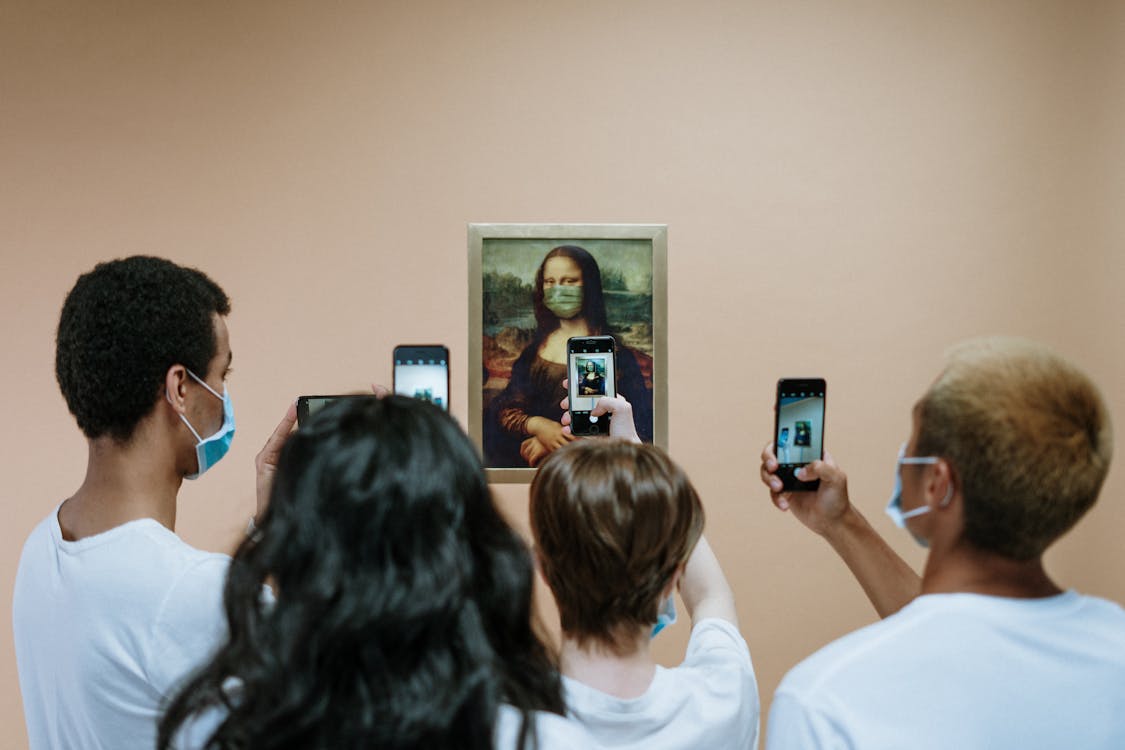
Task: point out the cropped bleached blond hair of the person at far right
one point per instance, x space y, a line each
1029 436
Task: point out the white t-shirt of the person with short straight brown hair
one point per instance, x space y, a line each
710 701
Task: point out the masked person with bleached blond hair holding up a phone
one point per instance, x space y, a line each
1009 449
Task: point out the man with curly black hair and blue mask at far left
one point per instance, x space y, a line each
112 609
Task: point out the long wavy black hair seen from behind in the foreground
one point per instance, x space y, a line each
403 600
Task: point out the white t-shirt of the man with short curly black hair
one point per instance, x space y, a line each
106 627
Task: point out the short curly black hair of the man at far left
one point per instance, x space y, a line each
123 326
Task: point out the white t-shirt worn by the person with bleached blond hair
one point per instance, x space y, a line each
965 671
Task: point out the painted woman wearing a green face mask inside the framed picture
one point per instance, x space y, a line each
525 422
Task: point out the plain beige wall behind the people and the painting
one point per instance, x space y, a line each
850 188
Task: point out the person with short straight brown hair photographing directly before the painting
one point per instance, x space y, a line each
618 530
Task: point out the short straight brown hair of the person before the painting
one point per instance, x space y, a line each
613 521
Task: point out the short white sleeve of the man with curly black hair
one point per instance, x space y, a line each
191 624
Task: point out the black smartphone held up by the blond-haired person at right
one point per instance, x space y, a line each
799 429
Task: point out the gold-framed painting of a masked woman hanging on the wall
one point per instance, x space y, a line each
534 286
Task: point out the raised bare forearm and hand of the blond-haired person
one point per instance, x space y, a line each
886 579
